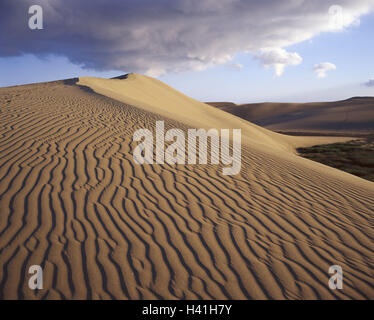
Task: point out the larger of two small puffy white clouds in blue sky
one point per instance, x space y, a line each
278 59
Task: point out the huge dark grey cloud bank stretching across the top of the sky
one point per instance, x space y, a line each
160 36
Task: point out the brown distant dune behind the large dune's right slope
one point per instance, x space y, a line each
351 115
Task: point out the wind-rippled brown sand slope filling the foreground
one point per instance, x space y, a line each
73 201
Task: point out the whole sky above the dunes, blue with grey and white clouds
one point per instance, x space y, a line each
212 50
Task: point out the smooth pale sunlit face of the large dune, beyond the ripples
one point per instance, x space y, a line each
155 96
